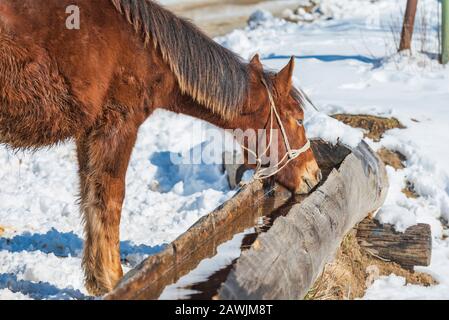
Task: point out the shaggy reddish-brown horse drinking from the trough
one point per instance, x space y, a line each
97 84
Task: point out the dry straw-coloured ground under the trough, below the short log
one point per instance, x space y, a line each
354 270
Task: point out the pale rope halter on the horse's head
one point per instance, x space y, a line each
292 154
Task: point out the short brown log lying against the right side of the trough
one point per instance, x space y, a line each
408 249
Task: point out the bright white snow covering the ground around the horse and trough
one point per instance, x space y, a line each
345 62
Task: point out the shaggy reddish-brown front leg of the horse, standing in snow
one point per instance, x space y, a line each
103 160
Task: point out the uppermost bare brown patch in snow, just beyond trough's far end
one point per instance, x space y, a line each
374 126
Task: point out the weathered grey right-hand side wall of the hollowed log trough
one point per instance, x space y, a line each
285 262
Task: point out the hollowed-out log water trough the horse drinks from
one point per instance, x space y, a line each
284 242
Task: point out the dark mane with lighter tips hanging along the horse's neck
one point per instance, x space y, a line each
211 74
